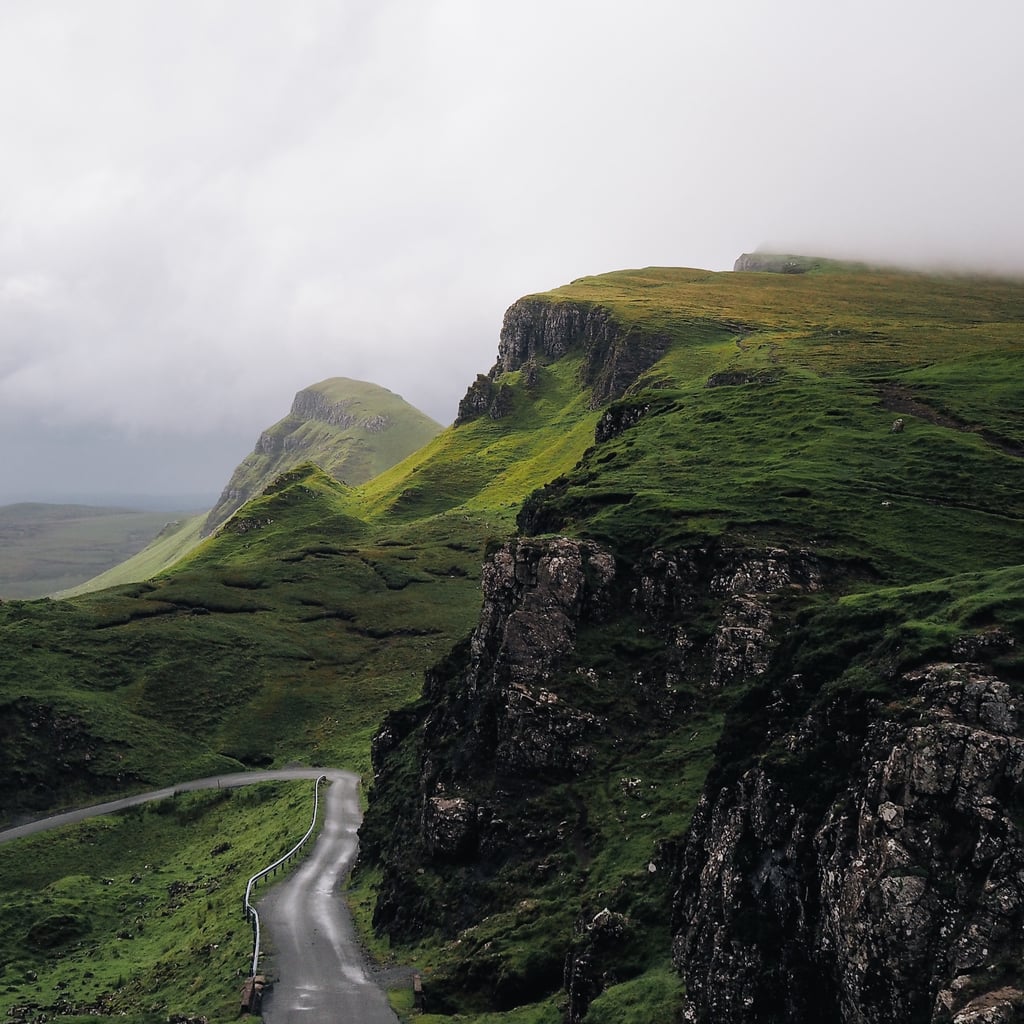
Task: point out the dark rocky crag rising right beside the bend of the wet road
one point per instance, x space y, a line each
532 707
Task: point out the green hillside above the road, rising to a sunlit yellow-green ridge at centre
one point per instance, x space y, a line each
285 637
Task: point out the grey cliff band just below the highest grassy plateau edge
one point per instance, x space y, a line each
536 332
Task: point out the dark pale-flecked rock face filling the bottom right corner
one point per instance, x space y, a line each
887 886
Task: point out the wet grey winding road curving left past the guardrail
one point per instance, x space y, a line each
320 973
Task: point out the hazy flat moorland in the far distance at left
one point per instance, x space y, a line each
50 548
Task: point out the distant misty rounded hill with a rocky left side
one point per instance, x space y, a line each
352 430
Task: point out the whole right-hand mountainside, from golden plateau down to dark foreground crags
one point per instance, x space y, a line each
695 719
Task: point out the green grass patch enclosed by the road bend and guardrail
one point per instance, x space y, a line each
139 914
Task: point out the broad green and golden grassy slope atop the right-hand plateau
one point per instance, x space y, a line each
804 453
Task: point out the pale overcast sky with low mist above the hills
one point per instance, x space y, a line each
208 205
